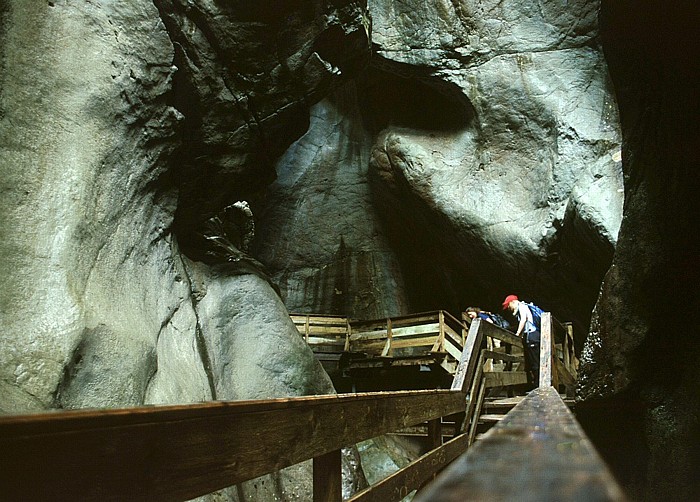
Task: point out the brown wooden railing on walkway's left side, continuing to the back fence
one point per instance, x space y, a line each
181 452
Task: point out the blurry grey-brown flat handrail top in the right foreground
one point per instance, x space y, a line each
537 452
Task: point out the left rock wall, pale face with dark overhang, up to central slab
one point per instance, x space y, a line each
105 110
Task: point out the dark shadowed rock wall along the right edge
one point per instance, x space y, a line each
641 390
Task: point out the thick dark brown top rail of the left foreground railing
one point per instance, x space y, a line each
181 452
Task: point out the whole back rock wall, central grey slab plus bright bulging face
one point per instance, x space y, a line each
490 130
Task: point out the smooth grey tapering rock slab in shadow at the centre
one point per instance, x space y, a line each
320 235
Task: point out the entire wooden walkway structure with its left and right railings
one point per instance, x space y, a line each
181 452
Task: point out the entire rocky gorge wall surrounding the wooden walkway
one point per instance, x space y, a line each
178 175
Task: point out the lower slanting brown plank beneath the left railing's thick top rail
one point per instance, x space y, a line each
401 483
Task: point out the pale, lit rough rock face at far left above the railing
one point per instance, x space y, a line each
85 129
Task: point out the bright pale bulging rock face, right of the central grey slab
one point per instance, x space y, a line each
518 189
